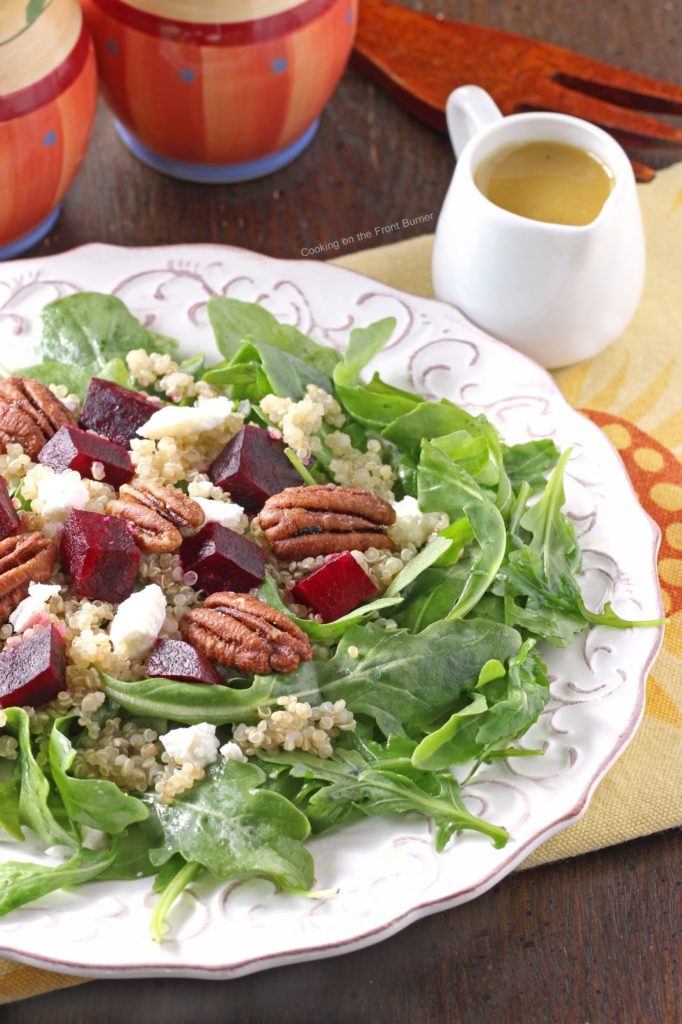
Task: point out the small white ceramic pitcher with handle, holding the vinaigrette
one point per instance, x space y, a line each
559 293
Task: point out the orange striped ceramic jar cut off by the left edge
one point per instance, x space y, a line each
49 94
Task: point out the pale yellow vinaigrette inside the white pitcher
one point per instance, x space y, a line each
550 182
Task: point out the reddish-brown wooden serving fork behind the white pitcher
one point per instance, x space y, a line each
419 59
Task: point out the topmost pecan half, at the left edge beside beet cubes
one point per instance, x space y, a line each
30 415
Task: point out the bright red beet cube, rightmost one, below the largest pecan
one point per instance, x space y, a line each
336 588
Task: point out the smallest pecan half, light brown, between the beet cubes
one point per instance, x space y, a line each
156 515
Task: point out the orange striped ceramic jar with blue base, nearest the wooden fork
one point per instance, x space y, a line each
220 91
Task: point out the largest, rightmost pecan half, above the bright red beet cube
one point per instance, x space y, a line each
303 523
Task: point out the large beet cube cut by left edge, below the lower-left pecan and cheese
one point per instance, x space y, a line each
33 671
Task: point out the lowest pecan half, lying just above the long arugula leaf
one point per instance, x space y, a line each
239 630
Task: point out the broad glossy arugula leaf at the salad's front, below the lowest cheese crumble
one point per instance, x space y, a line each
234 828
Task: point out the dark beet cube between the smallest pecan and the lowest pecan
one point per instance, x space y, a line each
223 560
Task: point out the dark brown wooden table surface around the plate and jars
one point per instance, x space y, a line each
595 940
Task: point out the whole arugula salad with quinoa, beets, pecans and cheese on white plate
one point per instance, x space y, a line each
121 773
